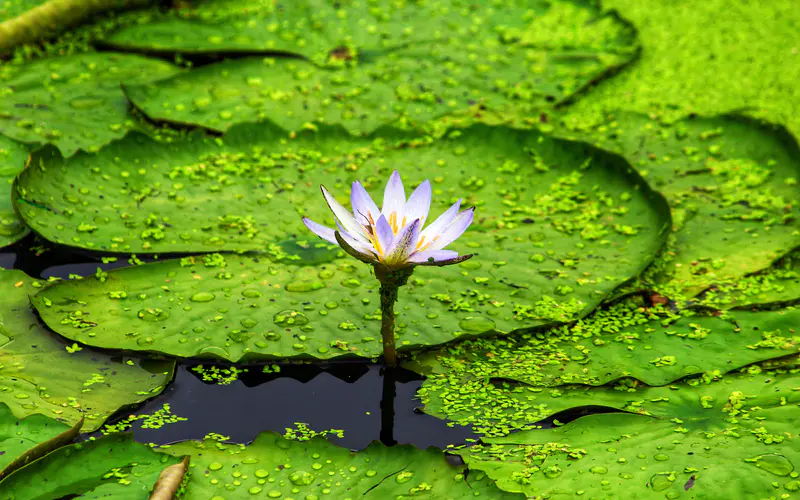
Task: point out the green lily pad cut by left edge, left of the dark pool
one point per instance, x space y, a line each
40 374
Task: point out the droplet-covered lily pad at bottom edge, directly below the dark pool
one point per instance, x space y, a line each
274 467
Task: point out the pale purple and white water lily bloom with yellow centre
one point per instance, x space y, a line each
395 237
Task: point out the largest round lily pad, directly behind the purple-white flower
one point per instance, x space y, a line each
582 223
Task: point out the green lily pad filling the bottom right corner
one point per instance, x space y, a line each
734 438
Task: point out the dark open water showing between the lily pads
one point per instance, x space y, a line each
345 396
